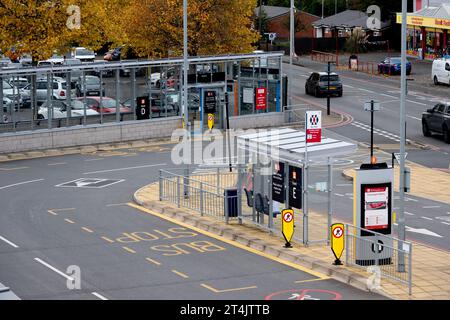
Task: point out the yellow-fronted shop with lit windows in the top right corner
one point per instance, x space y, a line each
428 37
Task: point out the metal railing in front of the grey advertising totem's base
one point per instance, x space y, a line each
391 256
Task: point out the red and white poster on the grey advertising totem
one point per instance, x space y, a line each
376 208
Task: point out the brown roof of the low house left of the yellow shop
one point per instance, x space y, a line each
347 18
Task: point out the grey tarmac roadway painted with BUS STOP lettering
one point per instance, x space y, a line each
123 253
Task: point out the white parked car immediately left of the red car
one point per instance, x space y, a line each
60 108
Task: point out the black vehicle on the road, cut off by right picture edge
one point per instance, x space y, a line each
437 120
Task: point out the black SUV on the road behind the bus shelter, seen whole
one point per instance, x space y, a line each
317 84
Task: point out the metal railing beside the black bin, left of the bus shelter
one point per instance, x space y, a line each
203 192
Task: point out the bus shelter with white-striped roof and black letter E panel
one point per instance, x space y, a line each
280 162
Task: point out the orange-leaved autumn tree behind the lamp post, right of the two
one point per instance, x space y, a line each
155 27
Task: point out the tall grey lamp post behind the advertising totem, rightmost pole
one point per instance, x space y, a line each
401 208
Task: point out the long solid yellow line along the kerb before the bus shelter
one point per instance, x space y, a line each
233 243
